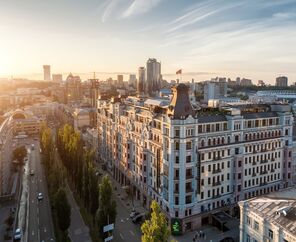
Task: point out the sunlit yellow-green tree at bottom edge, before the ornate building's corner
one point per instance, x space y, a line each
156 229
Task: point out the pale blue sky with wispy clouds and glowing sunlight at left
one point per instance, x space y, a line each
206 38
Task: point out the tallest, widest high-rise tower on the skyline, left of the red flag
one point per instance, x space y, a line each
153 75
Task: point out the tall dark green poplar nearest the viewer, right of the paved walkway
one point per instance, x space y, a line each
107 206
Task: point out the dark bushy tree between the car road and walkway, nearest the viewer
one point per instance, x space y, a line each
63 209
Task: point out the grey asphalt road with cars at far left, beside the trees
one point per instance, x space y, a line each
39 222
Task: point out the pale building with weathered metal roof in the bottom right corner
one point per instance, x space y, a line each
270 218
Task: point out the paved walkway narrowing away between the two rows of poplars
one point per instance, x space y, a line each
78 231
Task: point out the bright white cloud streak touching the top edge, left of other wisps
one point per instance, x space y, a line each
138 7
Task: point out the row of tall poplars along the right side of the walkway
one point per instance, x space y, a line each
79 163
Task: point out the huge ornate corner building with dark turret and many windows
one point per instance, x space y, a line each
195 162
